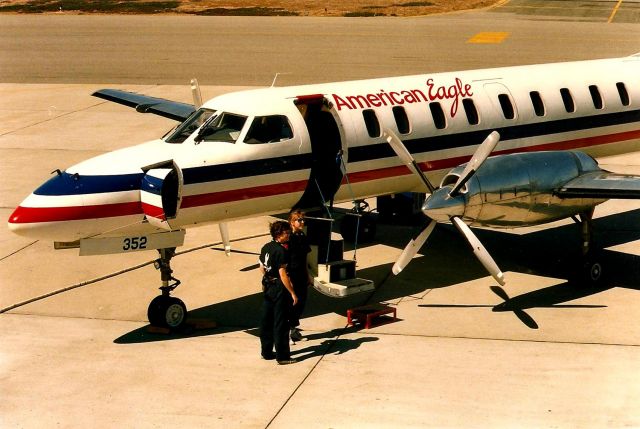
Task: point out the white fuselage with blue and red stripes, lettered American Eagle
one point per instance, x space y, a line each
593 106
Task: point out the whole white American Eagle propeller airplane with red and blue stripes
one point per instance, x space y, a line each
263 151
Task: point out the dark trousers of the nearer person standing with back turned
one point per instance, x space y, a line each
274 328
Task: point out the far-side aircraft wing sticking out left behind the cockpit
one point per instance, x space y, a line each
146 104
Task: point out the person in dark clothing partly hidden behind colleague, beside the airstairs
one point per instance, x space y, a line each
298 270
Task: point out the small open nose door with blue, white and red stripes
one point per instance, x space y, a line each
161 193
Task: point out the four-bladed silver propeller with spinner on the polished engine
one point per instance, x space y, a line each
449 202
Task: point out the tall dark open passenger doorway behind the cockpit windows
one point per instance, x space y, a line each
326 135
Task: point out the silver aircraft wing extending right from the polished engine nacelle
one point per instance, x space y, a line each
602 184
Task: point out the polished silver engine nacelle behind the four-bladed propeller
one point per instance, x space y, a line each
519 189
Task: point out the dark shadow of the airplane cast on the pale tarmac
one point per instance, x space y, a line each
447 260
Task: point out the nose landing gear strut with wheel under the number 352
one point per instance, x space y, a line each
165 310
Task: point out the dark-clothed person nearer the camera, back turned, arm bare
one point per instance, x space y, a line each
278 295
